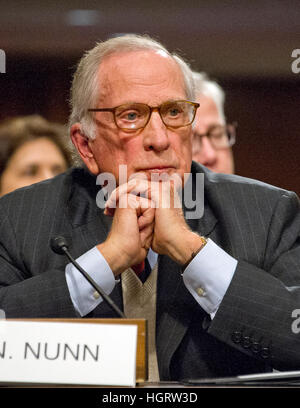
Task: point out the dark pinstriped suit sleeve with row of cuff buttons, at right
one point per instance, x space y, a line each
256 313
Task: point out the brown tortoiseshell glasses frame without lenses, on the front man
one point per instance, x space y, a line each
151 109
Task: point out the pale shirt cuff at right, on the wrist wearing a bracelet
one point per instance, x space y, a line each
208 276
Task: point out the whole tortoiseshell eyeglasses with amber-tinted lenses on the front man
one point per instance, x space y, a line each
134 116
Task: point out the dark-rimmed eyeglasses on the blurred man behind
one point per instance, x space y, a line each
220 137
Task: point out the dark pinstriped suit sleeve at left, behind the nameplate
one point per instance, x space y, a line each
23 295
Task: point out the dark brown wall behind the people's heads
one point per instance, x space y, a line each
246 47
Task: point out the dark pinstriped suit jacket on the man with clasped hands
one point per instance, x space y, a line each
256 223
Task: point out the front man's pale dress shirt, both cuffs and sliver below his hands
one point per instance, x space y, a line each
207 278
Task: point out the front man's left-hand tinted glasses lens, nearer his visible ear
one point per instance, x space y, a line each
132 116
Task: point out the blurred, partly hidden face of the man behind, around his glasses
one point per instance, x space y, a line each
220 161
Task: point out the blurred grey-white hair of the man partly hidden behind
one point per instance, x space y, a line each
207 87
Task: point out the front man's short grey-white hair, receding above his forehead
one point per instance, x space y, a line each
85 85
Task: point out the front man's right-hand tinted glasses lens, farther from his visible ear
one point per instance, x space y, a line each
177 113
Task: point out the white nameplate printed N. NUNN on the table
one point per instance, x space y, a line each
68 353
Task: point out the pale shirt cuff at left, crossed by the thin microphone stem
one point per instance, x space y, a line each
83 295
